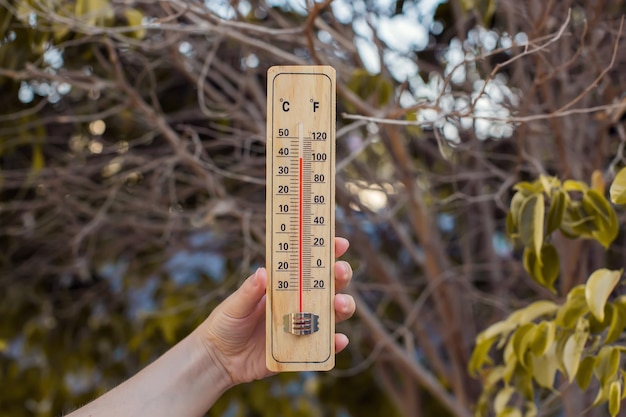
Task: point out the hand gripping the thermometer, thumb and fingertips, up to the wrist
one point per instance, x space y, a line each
234 333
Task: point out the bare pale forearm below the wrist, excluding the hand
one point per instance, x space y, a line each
185 382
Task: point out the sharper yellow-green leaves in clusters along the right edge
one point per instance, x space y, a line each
582 338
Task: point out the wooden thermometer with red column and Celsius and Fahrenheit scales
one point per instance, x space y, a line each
300 218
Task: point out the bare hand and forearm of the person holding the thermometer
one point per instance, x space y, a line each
227 349
